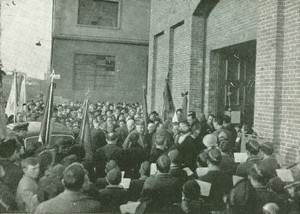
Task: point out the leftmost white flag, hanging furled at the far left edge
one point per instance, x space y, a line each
11 106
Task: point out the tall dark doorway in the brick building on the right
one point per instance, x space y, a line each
236 82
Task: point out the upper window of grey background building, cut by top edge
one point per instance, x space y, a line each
102 13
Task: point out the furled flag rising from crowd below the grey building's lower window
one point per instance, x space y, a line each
85 137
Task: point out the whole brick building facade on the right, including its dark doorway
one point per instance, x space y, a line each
231 56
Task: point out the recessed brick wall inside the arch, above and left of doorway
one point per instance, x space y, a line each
230 22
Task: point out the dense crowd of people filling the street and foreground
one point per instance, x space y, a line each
184 164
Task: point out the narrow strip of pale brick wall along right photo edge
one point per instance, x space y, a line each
290 95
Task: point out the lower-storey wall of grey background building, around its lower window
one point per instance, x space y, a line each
131 69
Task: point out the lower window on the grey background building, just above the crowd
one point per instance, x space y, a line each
96 72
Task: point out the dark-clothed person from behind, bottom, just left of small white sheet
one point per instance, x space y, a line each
113 195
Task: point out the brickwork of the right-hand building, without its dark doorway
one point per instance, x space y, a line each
274 24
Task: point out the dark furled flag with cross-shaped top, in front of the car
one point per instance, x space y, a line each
45 131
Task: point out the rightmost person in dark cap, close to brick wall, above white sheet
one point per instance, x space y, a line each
269 162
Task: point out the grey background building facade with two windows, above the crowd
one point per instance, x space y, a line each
101 46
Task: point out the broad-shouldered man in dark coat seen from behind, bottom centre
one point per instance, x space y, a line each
161 190
